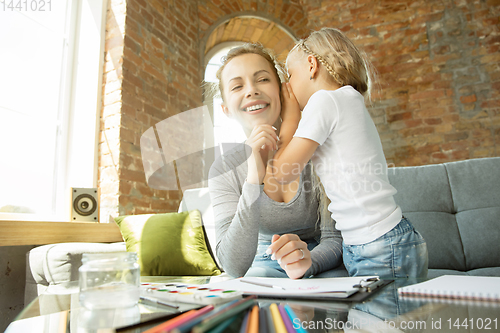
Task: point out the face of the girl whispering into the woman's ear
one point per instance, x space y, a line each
298 74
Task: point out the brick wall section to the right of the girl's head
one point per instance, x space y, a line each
438 93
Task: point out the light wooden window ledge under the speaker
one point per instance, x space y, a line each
40 233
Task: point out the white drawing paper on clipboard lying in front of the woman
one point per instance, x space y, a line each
315 288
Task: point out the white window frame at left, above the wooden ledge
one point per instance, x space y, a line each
80 95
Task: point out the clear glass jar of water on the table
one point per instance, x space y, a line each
109 280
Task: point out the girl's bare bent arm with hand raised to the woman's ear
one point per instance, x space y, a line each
294 152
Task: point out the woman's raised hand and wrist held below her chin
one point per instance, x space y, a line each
262 140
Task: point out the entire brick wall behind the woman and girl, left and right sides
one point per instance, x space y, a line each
437 96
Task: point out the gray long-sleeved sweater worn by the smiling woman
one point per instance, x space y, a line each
245 215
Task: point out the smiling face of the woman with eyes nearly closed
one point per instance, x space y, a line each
251 91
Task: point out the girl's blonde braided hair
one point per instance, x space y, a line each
345 63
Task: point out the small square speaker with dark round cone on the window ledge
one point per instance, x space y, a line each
84 204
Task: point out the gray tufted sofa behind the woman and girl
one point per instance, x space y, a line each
456 207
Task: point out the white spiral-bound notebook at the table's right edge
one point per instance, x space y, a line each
474 288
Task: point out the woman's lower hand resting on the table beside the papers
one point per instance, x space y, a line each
292 254
